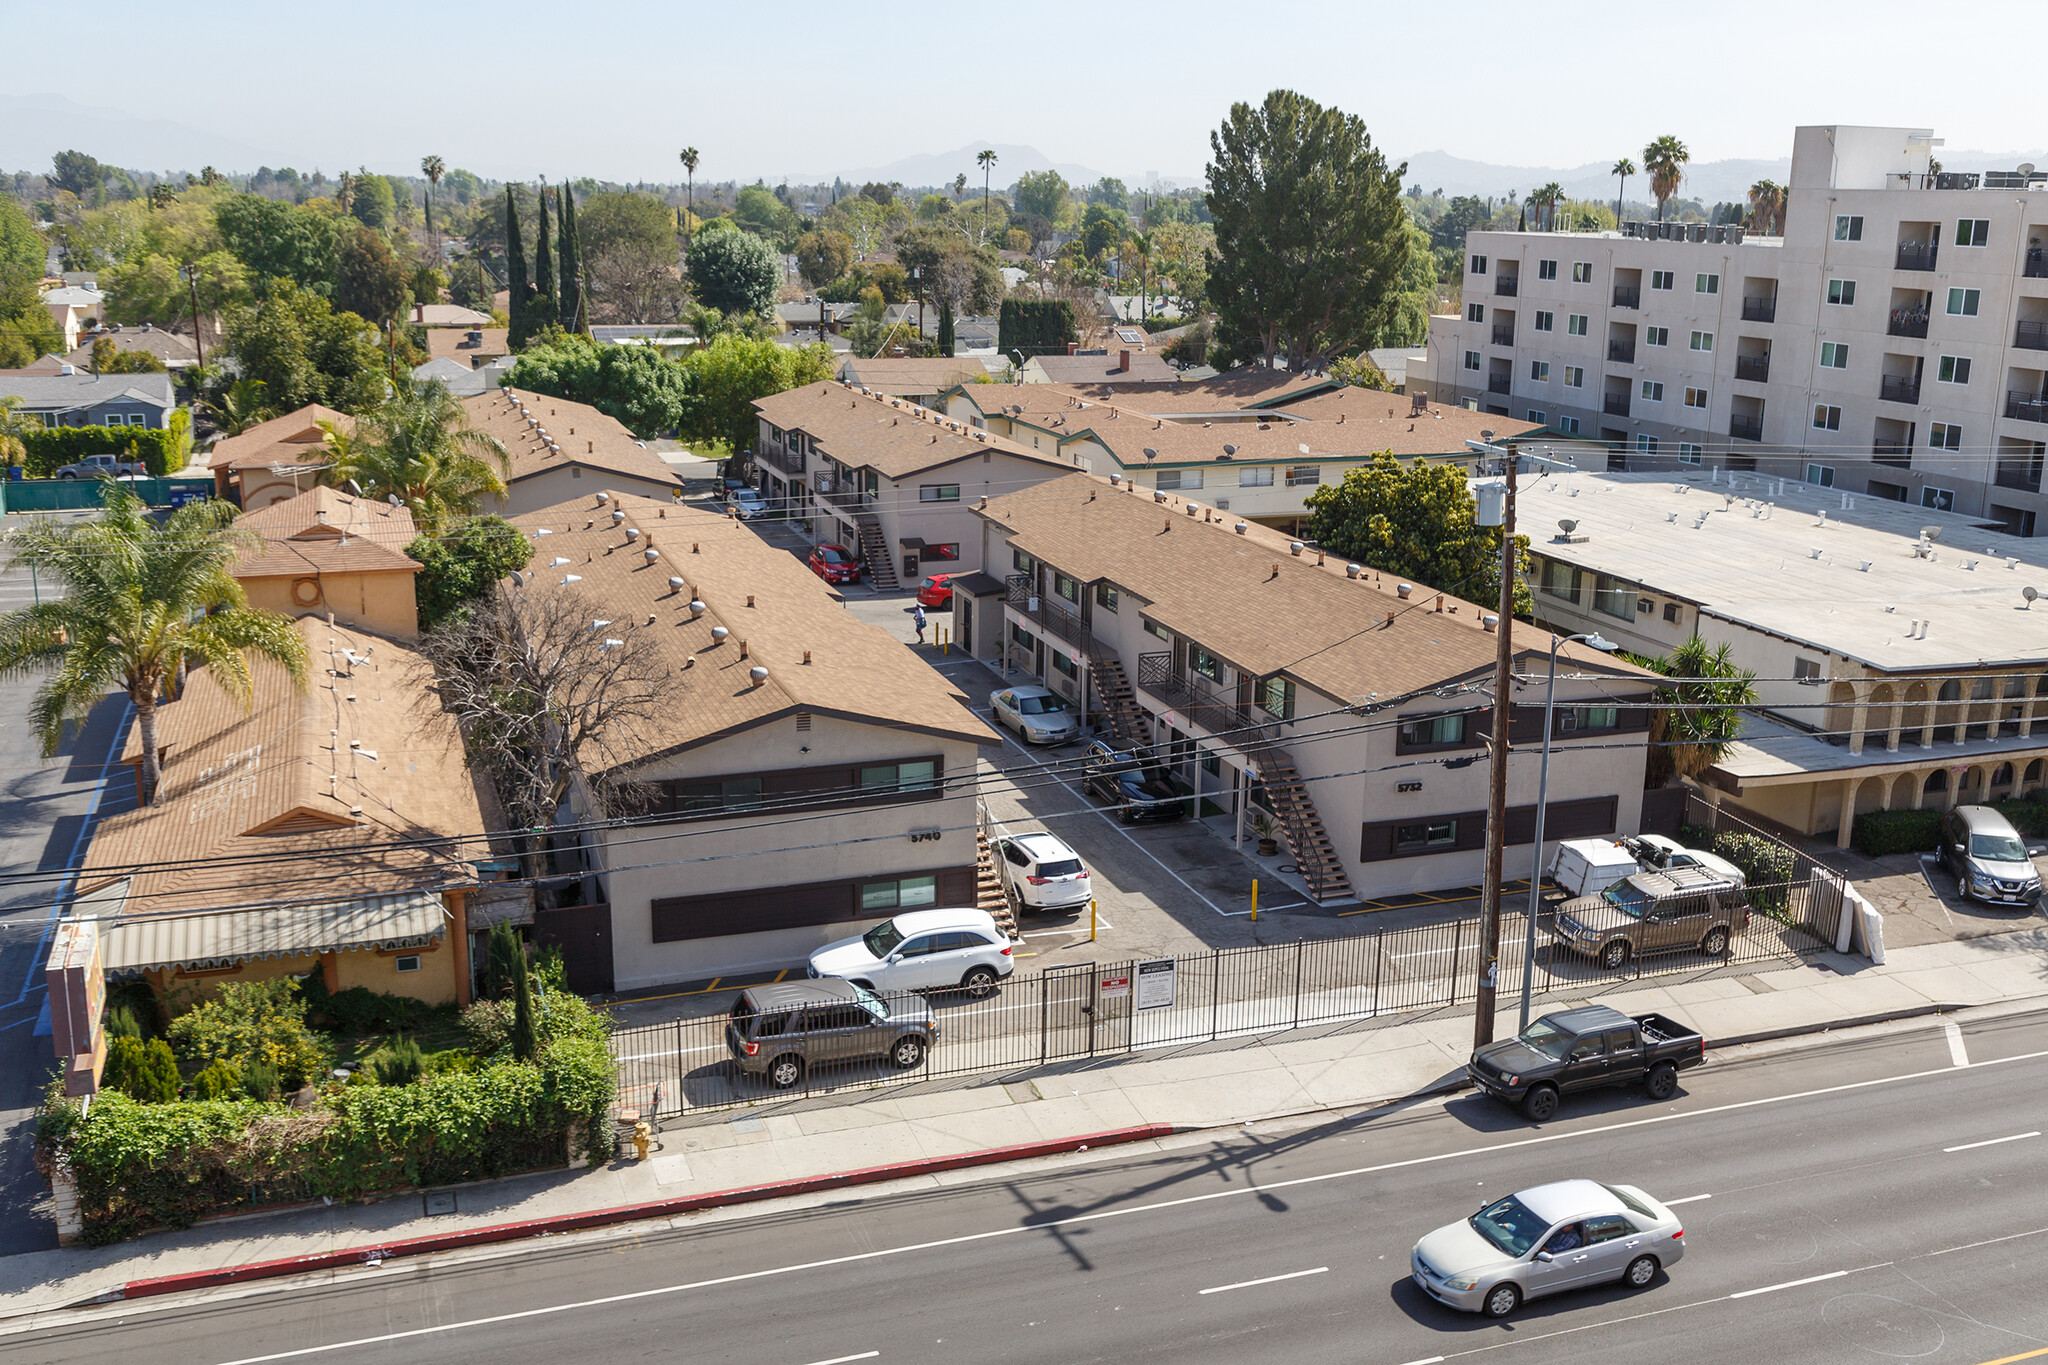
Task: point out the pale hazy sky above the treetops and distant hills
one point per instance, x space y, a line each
790 87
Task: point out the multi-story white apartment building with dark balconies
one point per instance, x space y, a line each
1891 343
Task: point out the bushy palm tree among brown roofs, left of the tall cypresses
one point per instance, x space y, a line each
421 449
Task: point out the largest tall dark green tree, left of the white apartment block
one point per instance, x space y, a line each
1310 230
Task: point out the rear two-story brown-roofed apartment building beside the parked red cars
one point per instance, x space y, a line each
888 478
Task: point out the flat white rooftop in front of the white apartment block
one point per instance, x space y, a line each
1762 556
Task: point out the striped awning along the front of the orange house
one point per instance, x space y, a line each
224 938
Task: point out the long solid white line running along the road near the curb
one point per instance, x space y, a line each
1138 1208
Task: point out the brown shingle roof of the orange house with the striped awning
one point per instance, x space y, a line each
321 777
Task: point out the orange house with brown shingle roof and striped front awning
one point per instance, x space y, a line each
331 828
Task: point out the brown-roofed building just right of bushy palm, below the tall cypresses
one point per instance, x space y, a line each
562 449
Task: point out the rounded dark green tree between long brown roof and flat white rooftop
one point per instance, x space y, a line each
1418 523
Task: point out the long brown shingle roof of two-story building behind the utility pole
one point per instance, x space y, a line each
1248 599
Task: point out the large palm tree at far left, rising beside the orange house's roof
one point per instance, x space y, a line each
140 601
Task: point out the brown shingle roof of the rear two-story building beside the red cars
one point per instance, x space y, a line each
892 437
